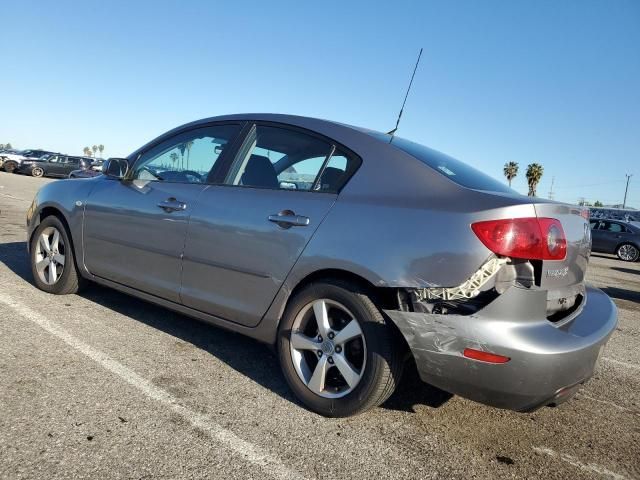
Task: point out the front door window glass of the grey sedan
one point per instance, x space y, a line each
188 157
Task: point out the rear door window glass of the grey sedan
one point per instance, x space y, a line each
280 158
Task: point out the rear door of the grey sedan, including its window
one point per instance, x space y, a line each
246 234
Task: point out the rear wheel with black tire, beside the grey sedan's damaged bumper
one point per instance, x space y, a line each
374 355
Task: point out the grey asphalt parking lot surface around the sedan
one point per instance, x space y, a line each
102 385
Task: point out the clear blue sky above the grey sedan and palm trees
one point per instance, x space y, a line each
555 82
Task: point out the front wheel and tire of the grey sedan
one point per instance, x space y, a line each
62 255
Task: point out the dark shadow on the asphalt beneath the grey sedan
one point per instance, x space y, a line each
245 355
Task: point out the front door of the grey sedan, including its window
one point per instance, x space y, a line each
135 229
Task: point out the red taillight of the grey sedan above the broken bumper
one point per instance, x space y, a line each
530 238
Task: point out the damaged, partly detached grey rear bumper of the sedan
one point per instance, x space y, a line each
547 361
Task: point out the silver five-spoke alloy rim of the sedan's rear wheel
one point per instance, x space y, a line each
328 348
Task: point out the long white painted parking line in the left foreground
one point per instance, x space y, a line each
249 452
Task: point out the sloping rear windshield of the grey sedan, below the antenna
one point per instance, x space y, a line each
455 170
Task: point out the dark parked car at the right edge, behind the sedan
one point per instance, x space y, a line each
616 236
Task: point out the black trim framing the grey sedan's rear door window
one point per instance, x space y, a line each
335 146
